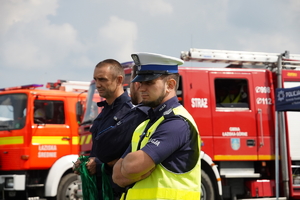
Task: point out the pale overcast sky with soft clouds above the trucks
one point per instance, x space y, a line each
45 40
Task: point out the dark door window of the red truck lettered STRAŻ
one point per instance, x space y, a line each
231 93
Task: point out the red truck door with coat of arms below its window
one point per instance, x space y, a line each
234 123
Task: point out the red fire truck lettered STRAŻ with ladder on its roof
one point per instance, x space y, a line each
241 132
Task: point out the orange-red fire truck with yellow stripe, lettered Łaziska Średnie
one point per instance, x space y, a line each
39 140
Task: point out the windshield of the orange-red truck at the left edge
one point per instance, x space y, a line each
12 111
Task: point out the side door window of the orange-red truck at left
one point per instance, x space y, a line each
49 112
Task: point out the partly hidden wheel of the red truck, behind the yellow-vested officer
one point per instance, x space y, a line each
207 189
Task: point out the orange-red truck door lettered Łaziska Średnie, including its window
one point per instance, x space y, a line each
51 137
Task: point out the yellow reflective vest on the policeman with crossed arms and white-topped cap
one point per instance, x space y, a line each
162 183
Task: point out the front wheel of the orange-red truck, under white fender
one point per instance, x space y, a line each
68 187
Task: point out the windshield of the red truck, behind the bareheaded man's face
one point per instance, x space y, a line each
92 110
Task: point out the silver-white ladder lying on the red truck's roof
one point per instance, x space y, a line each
240 57
